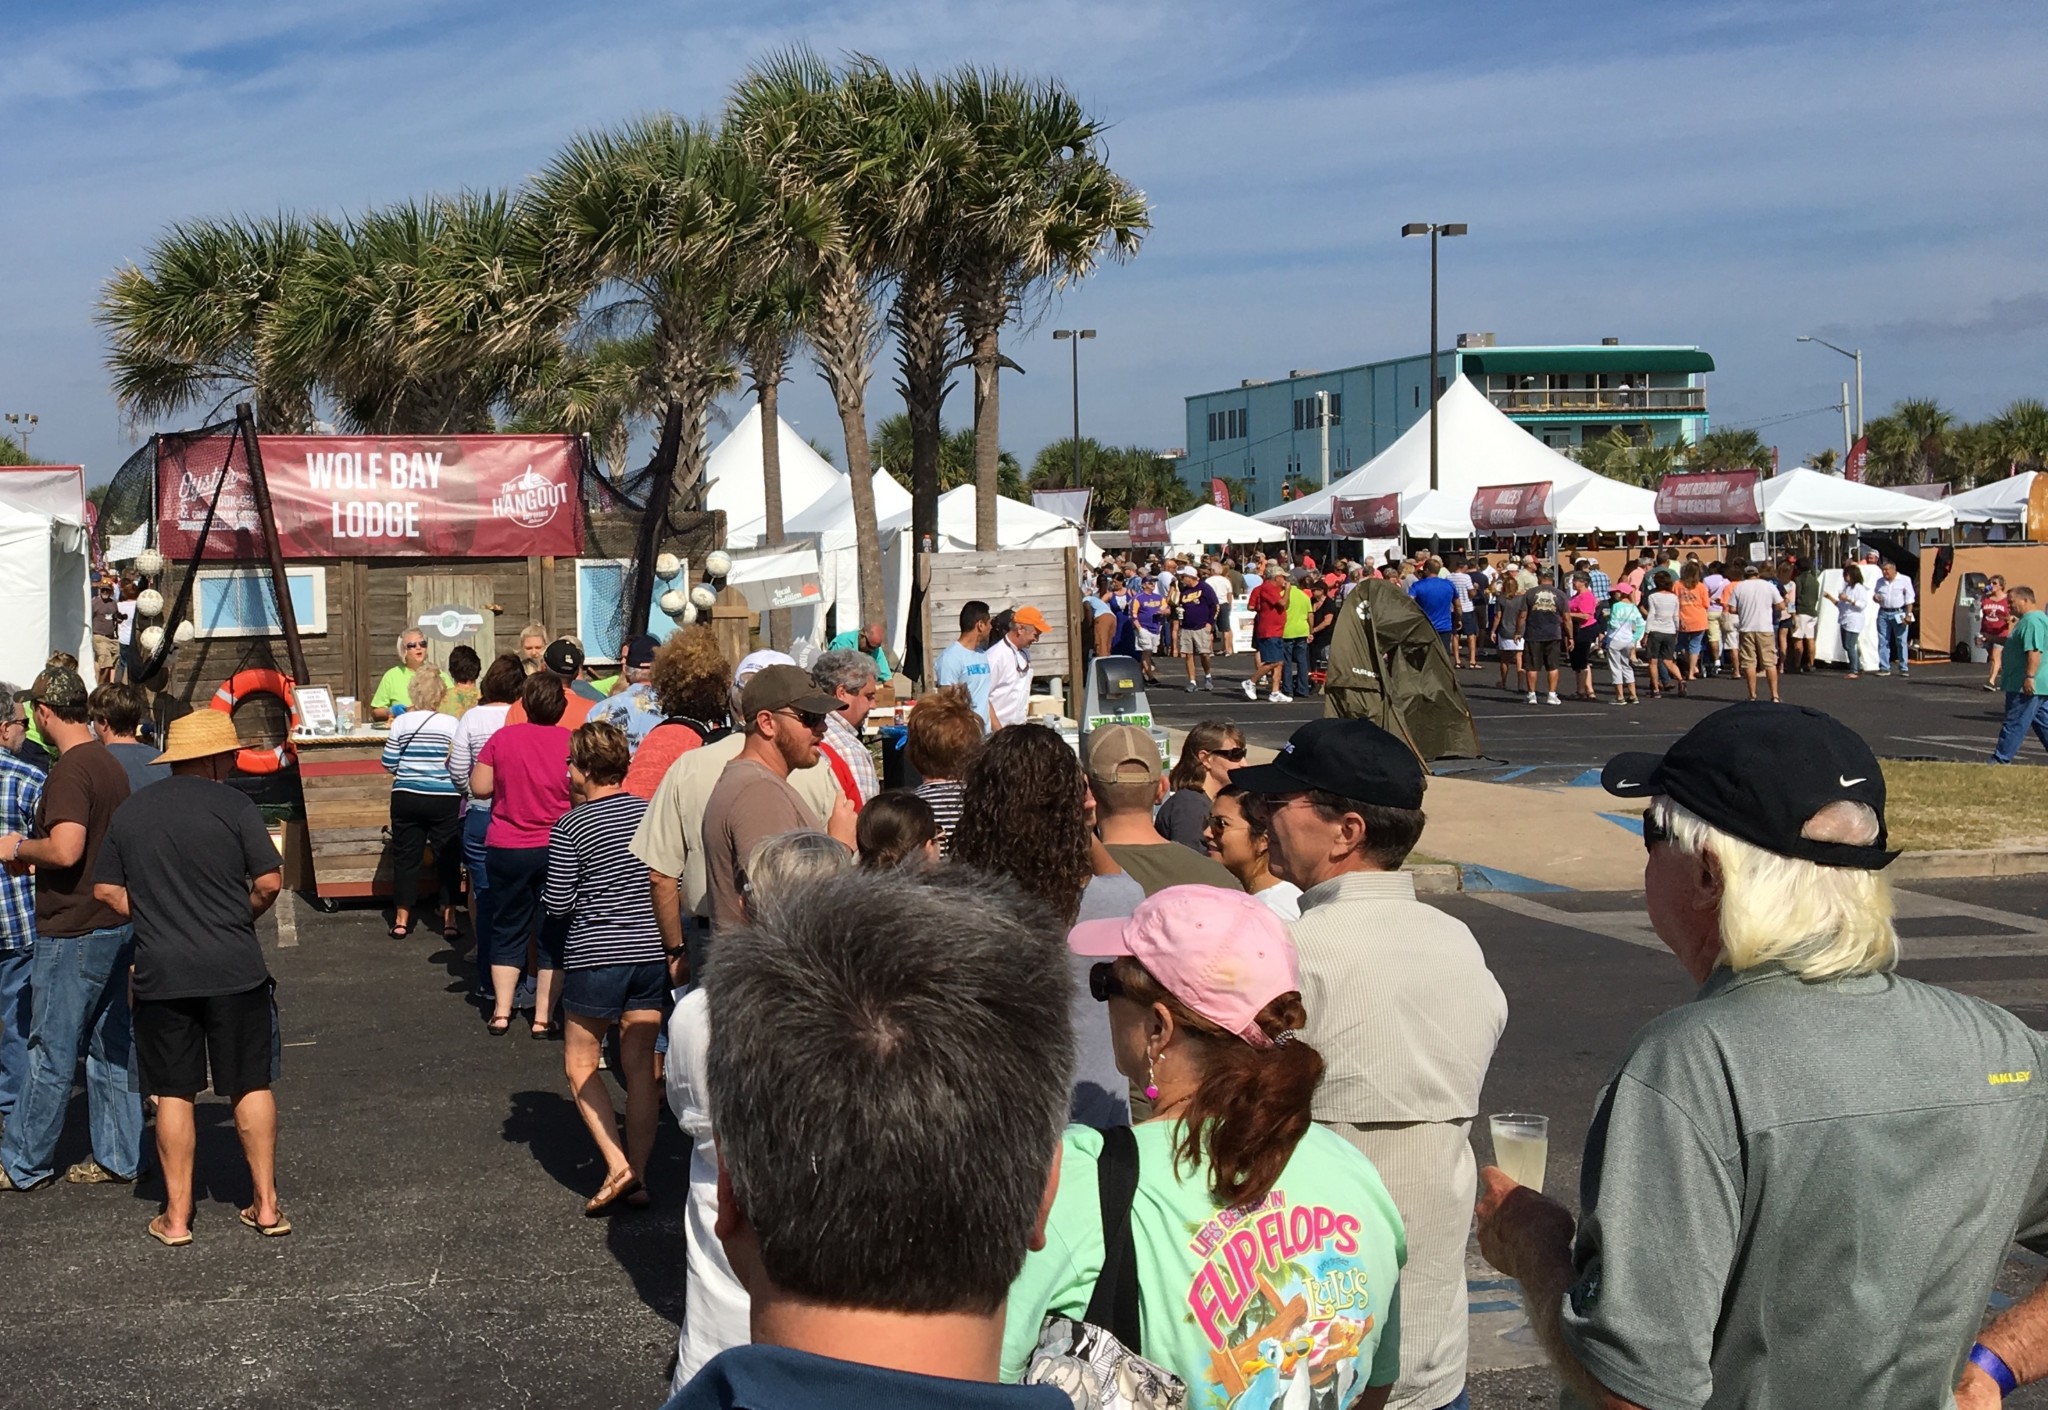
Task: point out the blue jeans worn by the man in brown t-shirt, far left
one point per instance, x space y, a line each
79 999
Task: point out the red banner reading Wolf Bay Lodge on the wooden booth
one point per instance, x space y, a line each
380 497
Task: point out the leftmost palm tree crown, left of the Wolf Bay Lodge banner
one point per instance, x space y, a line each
185 327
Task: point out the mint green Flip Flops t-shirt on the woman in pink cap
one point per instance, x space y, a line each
1238 1302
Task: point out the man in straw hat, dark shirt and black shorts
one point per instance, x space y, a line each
191 864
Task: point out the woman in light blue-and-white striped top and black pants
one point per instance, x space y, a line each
425 802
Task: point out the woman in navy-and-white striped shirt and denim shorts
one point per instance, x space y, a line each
611 958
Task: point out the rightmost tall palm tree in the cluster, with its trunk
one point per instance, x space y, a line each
1037 208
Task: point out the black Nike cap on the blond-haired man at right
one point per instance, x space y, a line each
1760 774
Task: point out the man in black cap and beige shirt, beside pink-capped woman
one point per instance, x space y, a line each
1402 1007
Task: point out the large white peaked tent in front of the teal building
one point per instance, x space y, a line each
1478 448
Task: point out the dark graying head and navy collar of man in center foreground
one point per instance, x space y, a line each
888 1075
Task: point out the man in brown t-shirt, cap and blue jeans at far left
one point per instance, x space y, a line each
83 954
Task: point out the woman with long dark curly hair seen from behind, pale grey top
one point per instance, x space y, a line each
1025 815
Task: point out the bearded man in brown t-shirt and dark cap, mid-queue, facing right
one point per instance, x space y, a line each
783 718
